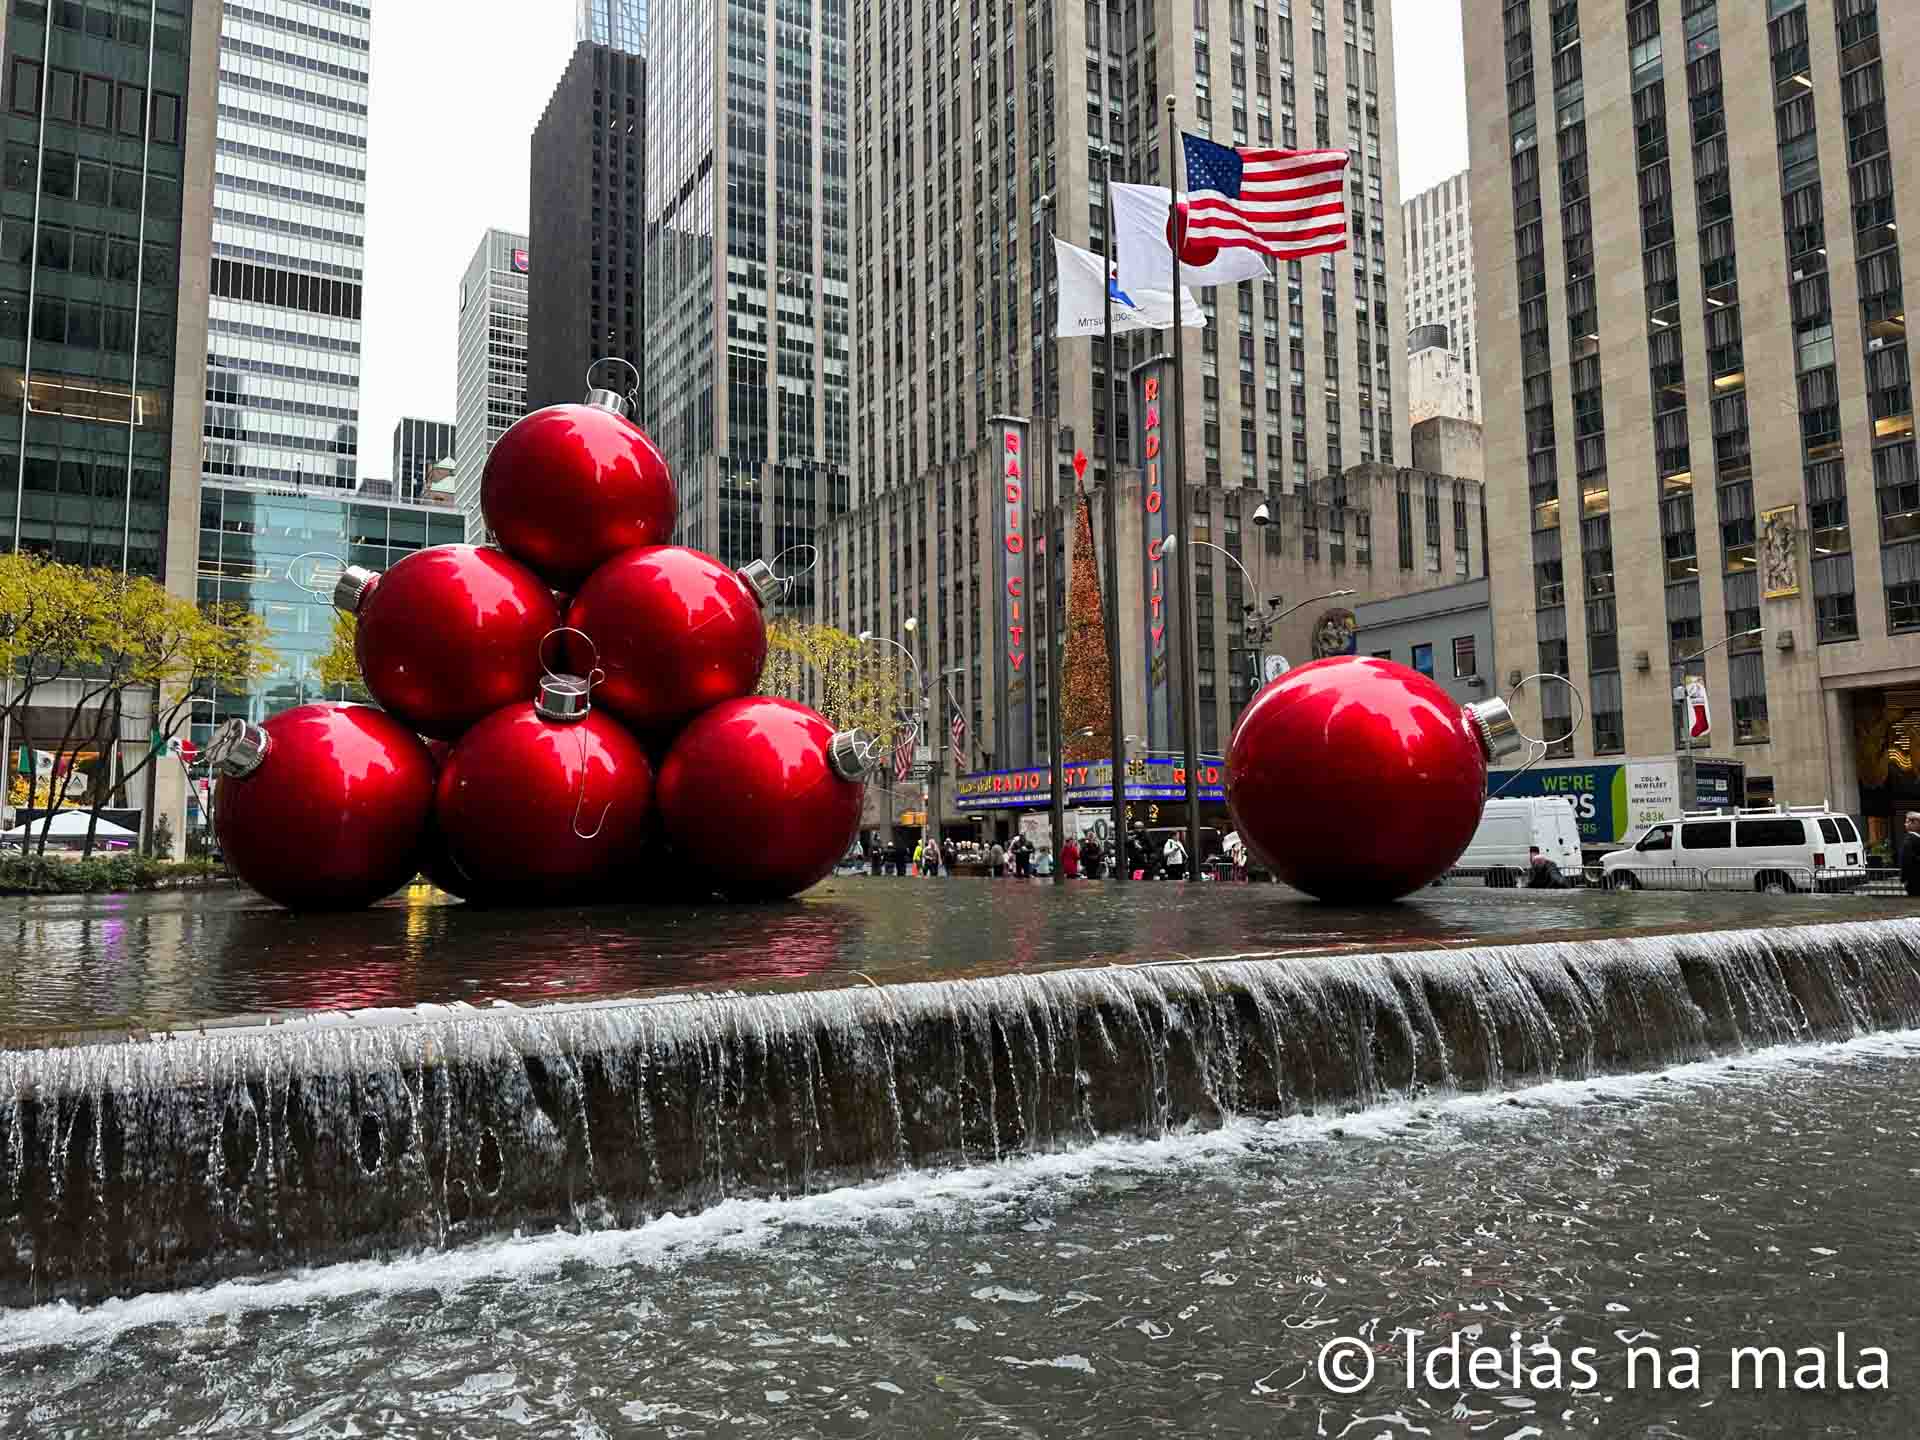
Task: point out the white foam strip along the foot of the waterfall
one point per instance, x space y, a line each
898 1203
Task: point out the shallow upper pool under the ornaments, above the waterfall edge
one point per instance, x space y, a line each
128 961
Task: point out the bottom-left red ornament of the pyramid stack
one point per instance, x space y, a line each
324 807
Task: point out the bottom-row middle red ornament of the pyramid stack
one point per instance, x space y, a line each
544 802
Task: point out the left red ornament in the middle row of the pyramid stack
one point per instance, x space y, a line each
450 635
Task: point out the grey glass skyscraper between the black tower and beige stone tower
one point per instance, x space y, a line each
748 385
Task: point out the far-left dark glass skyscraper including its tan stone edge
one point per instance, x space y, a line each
105 233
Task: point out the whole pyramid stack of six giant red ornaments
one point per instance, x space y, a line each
564 719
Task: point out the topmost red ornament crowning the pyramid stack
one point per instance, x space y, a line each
571 487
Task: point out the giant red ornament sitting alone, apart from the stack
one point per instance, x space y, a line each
1362 780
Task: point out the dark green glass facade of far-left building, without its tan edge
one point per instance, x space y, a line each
89 277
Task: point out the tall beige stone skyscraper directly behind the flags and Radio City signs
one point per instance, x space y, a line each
963 124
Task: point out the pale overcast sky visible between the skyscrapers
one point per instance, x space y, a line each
458 87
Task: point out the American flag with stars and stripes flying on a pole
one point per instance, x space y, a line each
1282 203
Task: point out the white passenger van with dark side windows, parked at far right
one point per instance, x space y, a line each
1802 848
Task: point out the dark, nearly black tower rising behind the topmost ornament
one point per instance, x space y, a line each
588 183
